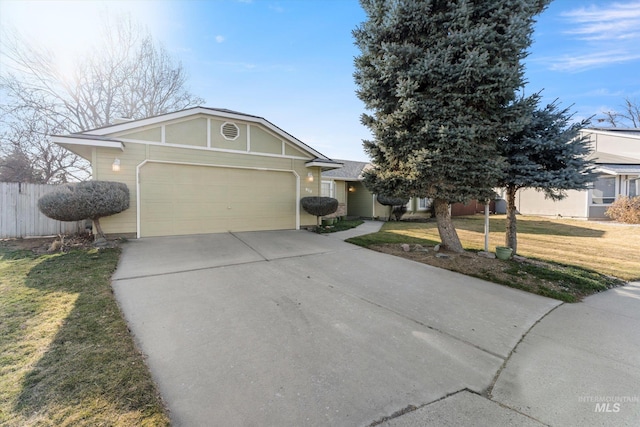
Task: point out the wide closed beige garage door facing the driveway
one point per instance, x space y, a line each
180 199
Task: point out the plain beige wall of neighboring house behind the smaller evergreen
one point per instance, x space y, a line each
532 202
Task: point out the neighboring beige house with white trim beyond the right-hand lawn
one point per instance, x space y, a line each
617 156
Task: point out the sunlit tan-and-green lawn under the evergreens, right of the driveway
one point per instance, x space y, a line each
578 255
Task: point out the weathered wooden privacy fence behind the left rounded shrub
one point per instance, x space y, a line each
20 216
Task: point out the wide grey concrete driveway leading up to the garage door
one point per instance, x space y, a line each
291 328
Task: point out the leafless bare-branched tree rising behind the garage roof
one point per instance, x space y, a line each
127 75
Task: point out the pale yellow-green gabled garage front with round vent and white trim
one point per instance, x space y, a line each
202 170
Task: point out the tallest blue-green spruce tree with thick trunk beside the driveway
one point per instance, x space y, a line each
438 76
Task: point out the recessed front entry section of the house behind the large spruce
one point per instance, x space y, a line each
345 184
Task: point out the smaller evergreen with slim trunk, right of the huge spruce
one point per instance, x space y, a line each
548 155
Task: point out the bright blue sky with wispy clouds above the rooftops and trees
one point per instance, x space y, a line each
291 61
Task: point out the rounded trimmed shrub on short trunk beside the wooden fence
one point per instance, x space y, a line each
86 200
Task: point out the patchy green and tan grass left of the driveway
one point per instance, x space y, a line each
66 355
